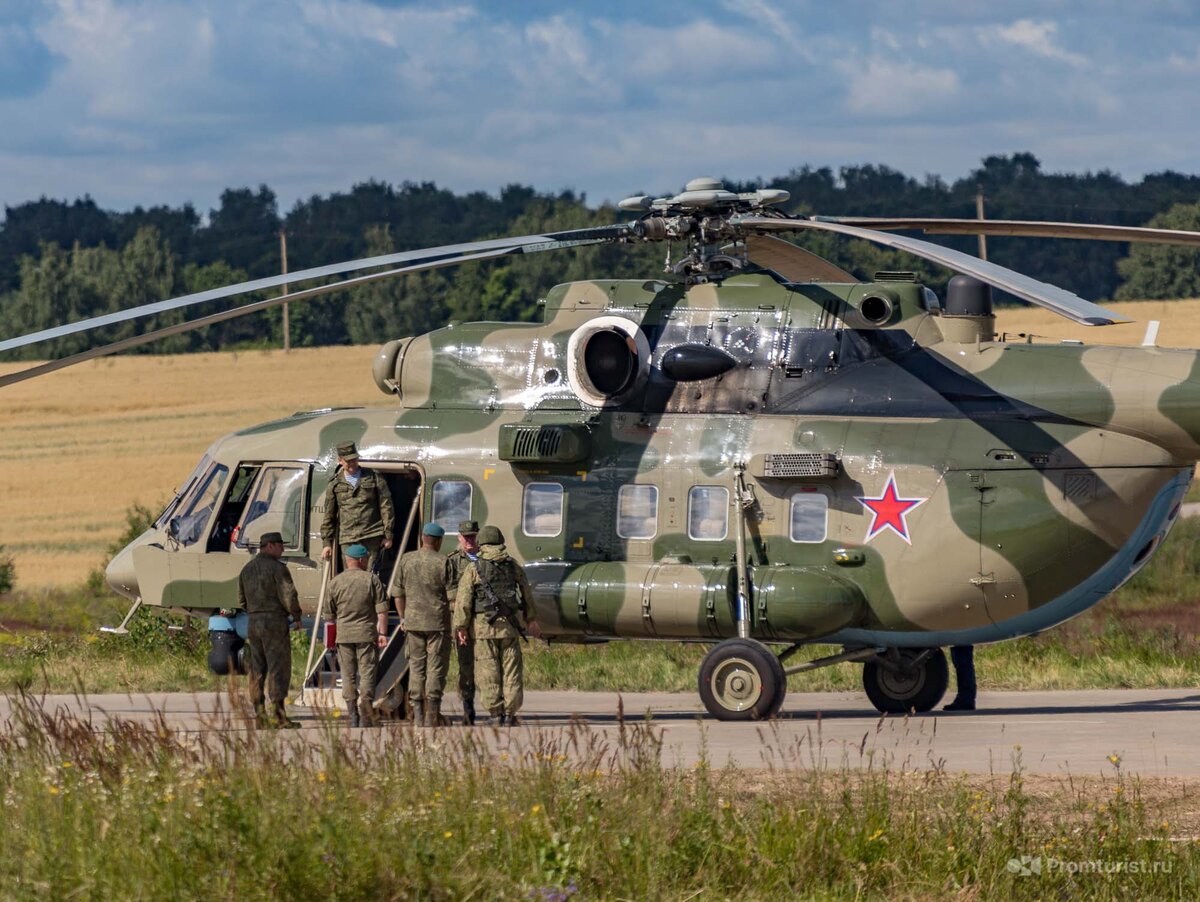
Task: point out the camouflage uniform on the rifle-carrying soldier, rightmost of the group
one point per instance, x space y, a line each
500 670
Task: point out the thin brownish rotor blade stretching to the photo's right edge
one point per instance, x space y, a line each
1031 228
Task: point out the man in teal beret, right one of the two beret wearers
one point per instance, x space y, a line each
423 600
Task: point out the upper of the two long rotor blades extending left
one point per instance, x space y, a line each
523 244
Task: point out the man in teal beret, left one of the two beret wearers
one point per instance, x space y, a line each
359 608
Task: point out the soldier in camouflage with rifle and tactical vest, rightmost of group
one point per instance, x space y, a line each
494 606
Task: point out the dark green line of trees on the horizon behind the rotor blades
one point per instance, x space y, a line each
61 262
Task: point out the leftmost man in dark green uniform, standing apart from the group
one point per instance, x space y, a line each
269 597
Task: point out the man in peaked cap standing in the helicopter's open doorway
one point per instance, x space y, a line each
358 508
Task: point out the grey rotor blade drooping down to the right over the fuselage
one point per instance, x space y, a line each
1029 290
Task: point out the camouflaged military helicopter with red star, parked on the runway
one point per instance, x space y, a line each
754 450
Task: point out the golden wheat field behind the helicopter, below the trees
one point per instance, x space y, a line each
80 447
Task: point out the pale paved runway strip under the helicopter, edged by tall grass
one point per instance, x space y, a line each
1155 732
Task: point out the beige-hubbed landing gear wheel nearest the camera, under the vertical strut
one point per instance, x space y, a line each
742 681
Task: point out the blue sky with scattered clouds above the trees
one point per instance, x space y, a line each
171 101
